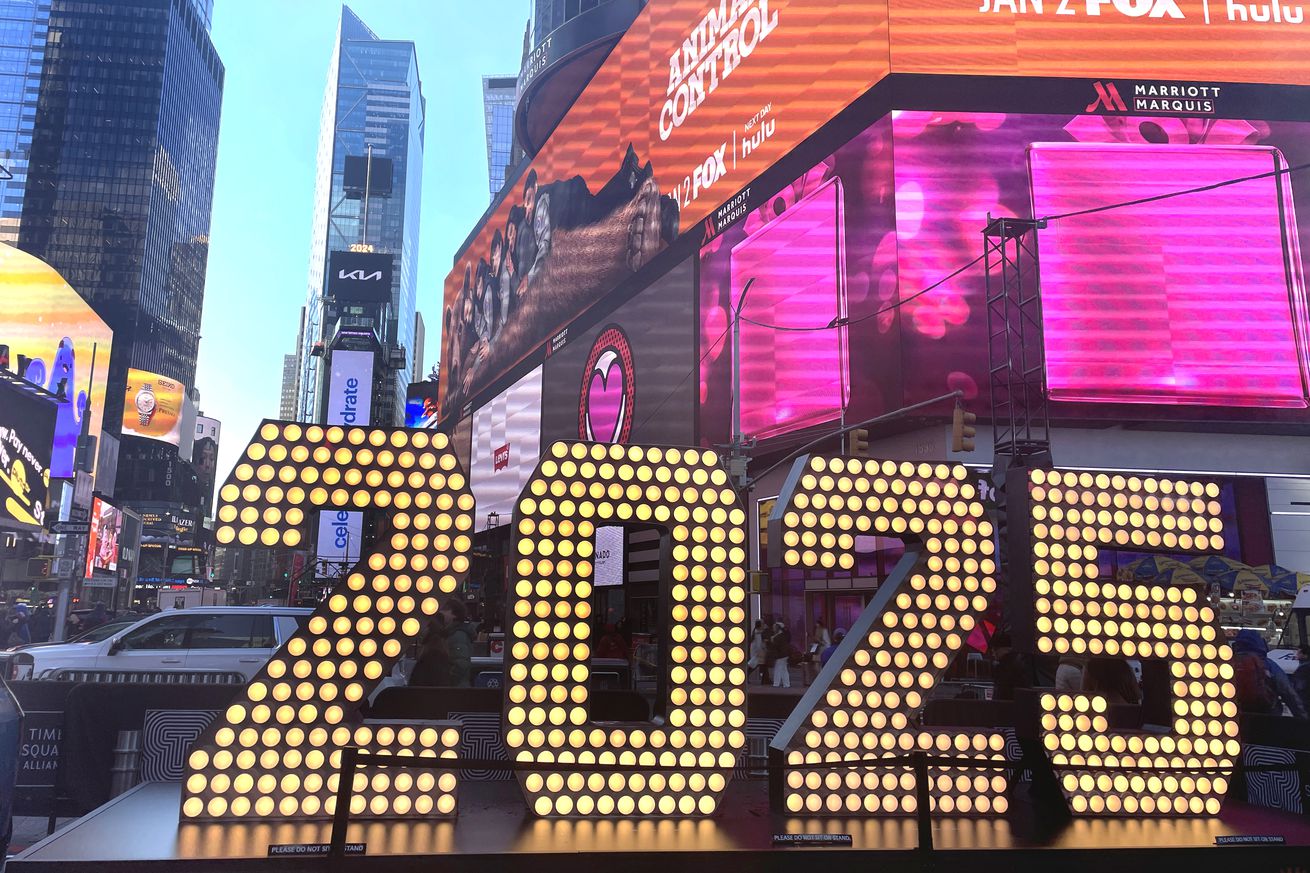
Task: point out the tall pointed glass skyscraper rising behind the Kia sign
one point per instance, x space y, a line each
374 111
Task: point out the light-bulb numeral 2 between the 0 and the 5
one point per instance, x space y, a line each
868 699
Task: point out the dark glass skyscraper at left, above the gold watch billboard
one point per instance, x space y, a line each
121 179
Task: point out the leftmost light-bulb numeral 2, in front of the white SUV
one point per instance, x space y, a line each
274 753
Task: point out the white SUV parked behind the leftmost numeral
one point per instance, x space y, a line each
202 639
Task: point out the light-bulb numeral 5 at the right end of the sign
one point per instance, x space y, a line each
1074 516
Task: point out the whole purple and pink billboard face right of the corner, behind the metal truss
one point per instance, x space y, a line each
1148 309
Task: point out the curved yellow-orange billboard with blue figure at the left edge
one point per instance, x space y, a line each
48 338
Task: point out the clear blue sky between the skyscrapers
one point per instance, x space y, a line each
277 54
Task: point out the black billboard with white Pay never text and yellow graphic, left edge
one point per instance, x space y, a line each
28 420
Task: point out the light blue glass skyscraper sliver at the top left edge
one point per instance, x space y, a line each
23 43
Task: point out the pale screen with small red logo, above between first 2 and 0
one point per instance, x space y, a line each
506 449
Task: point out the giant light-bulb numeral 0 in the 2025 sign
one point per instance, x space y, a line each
682 767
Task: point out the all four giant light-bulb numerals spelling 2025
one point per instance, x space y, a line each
277 750
